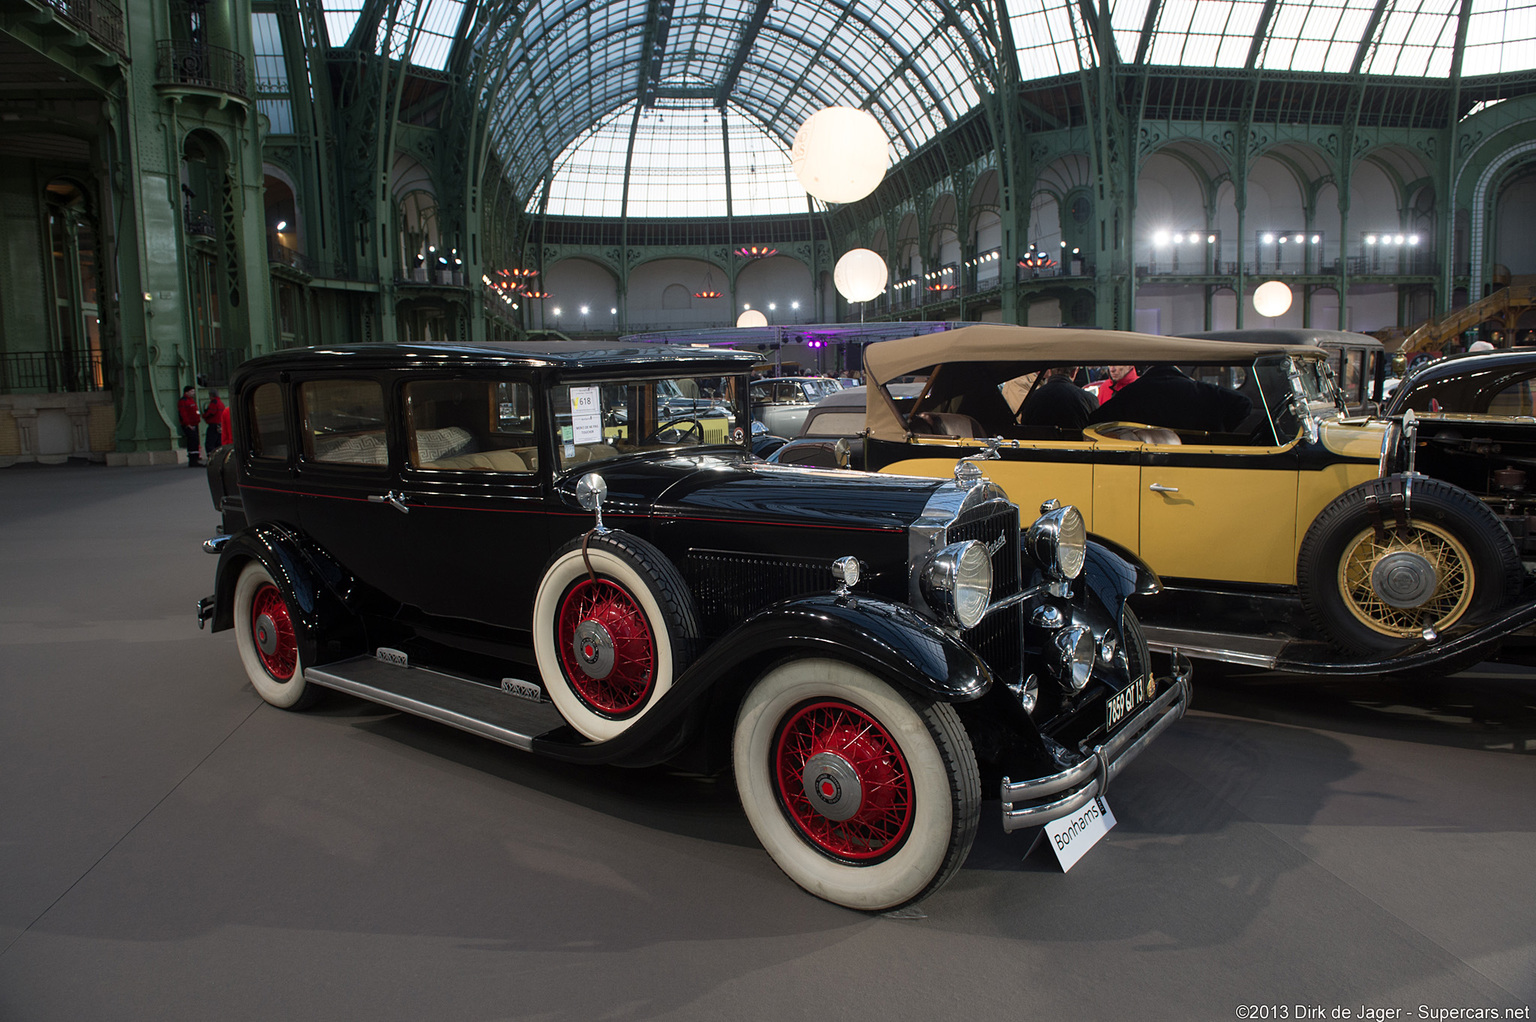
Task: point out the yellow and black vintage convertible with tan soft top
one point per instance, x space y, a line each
1250 528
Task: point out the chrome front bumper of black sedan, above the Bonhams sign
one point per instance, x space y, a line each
1024 803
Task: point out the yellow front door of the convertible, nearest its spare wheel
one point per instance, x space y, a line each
1220 513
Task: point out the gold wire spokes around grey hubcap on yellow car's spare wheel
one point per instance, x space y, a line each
1440 551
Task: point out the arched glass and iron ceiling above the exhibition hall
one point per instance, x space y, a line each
561 81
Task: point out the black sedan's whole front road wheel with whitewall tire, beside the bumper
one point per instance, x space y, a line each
861 794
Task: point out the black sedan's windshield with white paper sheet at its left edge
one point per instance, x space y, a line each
606 419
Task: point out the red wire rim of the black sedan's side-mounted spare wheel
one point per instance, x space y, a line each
607 648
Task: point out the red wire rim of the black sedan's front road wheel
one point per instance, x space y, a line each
844 783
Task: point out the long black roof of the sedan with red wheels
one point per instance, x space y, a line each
526 354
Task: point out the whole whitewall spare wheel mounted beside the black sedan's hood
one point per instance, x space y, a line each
614 626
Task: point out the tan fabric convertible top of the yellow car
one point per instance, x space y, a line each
1056 347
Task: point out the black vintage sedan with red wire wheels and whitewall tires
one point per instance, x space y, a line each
515 542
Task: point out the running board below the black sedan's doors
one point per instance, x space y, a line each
463 703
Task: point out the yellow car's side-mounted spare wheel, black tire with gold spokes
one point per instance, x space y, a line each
1374 585
